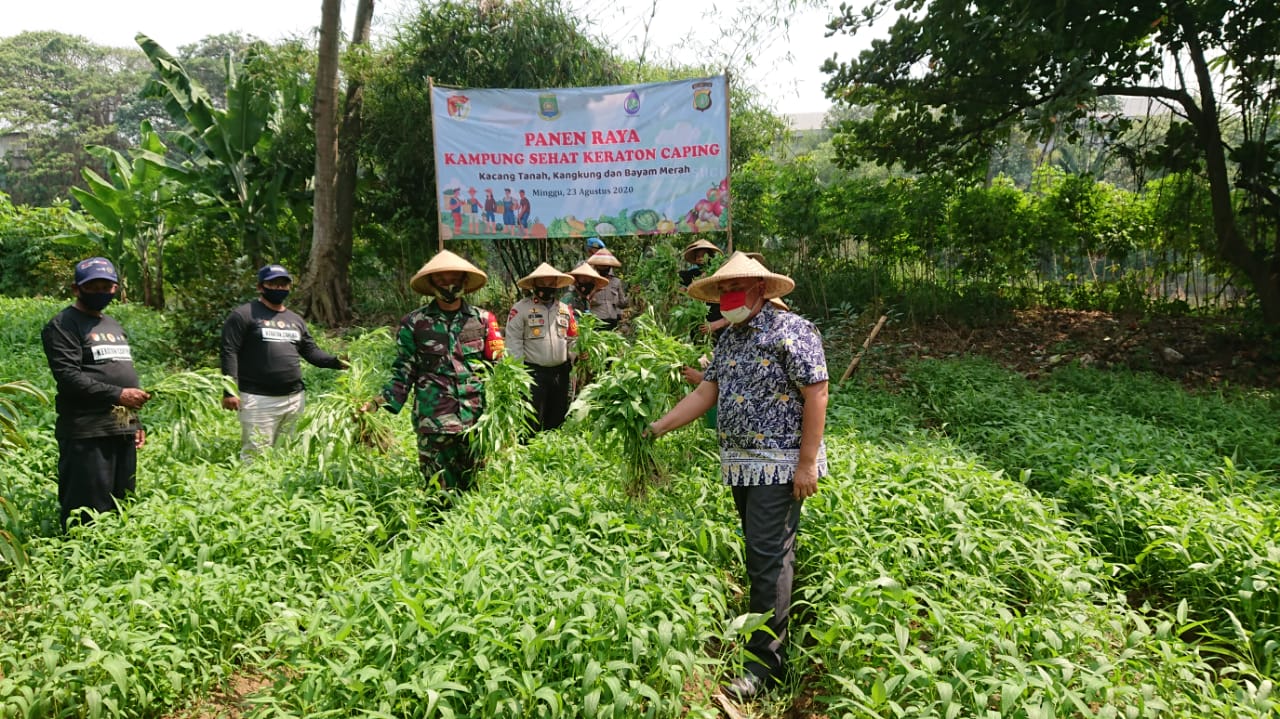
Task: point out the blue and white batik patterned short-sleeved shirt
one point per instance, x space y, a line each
761 369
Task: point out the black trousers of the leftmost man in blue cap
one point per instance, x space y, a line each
94 474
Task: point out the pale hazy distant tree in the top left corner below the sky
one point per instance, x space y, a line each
63 93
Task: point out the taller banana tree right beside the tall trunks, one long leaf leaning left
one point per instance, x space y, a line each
230 149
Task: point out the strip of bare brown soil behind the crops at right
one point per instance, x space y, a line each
1203 354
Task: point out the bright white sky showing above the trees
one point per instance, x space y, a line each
787 70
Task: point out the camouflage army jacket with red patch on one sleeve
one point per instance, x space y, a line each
438 355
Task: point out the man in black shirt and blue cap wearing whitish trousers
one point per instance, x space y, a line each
262 345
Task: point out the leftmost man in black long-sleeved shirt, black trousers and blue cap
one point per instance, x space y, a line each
98 428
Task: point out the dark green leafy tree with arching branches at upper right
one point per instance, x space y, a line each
953 79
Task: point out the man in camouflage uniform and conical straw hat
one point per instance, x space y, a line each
440 350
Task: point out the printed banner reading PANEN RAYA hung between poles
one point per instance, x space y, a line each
582 162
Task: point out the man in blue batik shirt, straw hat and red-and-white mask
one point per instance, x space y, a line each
769 381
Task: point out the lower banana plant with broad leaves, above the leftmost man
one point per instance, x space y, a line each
132 207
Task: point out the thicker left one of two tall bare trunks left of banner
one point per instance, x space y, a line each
323 296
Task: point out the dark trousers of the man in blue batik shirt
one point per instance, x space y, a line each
771 520
